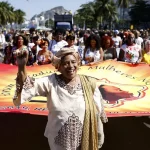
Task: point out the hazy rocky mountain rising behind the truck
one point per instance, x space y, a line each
49 14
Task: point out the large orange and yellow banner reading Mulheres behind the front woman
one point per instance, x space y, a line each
124 87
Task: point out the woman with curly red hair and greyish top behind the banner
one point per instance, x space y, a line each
108 49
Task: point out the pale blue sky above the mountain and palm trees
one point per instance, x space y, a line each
32 7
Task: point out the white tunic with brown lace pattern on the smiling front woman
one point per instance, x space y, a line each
66 107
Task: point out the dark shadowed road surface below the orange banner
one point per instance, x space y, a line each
26 132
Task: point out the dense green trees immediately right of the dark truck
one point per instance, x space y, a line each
95 13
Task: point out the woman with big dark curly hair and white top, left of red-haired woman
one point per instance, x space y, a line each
92 52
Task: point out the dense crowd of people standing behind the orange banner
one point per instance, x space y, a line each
131 46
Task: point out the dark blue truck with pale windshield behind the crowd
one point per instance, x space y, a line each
63 22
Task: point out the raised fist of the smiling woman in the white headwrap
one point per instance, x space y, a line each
21 57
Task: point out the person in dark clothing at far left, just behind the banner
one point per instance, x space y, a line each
8 54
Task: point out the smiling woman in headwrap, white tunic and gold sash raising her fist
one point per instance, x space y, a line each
74 102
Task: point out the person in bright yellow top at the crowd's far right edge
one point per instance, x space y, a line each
146 52
